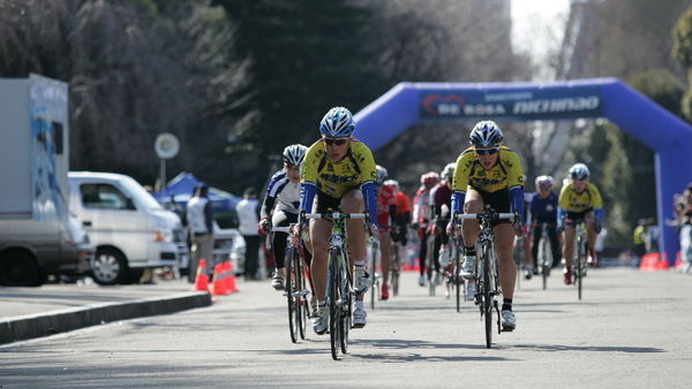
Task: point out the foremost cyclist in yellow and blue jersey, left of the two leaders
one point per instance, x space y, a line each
338 173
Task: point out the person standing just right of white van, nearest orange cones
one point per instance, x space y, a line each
200 221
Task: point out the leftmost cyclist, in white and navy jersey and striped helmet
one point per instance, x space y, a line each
280 206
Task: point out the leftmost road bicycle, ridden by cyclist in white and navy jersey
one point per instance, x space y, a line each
296 290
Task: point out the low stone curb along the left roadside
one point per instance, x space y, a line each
55 322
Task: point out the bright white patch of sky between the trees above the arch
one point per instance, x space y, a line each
537 25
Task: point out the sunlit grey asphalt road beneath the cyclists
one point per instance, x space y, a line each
631 330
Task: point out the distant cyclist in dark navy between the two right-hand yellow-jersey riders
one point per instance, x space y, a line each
544 211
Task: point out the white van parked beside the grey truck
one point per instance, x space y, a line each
130 230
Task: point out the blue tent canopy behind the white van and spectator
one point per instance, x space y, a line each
182 186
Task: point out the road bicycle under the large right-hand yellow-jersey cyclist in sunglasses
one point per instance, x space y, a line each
487 286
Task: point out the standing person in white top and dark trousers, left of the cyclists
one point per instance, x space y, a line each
248 220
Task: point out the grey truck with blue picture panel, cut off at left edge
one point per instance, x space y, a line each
38 235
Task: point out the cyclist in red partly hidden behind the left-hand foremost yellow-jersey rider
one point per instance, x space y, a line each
386 212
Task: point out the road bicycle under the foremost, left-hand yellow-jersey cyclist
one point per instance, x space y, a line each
340 293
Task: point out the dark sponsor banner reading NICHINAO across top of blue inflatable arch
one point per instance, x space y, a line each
517 104
